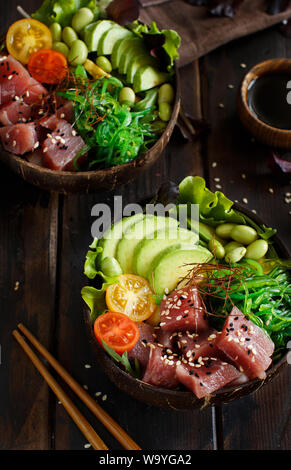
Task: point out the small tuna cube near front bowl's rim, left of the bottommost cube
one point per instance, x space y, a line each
161 369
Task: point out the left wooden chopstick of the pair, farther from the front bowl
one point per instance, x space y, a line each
72 410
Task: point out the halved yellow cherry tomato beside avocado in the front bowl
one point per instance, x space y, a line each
132 296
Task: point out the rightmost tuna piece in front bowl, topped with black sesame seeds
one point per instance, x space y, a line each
246 345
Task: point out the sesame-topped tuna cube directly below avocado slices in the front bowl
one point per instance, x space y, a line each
183 310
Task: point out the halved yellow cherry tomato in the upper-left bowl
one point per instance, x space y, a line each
27 36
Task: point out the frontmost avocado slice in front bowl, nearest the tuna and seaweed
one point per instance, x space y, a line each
171 266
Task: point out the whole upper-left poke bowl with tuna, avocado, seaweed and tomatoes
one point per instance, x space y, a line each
69 125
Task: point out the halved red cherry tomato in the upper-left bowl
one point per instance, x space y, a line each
48 66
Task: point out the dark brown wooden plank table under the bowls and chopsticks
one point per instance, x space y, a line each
43 241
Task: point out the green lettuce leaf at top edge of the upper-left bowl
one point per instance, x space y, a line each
62 11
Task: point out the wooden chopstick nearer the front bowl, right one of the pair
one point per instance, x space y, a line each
120 435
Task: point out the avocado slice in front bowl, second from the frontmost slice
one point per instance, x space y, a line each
148 249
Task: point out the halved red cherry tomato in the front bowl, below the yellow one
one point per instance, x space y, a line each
117 331
